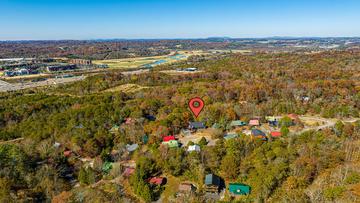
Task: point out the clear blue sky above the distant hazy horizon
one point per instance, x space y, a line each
133 19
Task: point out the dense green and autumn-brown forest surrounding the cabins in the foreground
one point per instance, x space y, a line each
91 123
